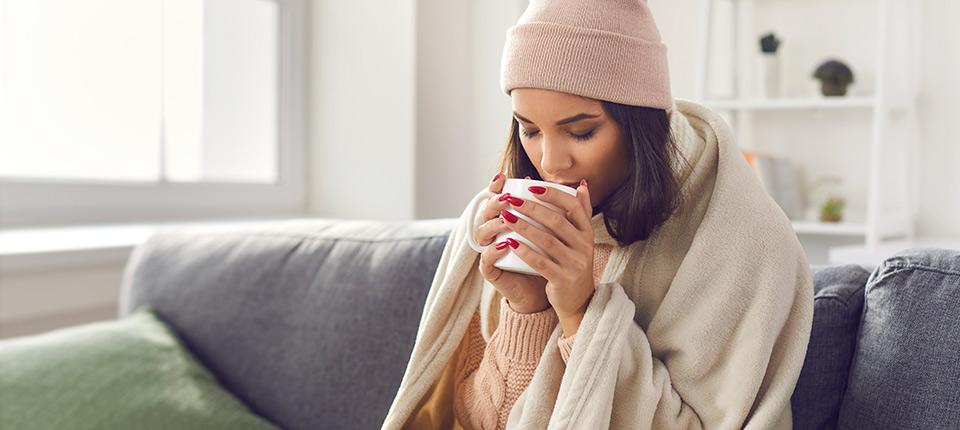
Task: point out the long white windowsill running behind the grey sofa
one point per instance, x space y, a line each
54 248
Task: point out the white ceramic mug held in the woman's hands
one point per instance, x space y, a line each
518 188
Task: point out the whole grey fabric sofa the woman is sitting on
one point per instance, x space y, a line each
310 322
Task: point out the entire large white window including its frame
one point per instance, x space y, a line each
119 110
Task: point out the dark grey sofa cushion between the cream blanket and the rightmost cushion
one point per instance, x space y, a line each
837 306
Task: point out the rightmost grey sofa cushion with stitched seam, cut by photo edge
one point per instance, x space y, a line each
906 369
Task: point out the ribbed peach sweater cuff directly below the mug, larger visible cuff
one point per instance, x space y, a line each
522 337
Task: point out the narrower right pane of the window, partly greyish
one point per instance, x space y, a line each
221 90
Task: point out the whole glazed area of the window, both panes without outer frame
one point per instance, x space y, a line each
138 90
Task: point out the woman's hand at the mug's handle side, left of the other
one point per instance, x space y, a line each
524 293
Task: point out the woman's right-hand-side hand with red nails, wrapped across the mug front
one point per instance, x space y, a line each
568 263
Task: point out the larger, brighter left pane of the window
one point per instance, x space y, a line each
79 89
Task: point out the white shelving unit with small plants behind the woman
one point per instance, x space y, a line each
874 217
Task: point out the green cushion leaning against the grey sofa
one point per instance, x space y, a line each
126 373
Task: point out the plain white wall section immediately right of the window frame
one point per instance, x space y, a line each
362 109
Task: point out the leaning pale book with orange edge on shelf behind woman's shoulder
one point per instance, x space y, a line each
778 178
